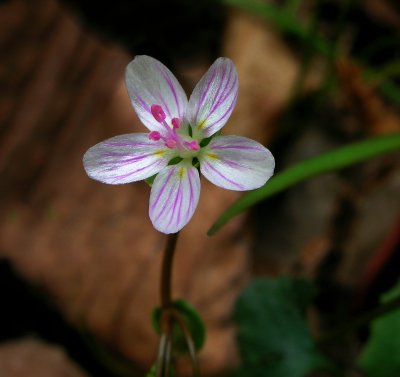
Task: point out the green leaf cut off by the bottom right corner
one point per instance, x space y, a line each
381 355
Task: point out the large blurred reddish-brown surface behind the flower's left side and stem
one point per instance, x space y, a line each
91 246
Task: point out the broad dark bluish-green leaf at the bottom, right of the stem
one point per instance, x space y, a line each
273 335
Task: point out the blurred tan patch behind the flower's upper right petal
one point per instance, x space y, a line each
266 70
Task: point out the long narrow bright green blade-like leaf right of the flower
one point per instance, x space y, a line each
337 159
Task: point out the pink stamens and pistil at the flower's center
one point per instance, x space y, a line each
169 135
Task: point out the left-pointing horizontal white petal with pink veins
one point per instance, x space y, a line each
126 158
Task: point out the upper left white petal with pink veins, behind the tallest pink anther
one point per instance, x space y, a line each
149 82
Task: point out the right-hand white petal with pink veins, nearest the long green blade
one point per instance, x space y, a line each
237 163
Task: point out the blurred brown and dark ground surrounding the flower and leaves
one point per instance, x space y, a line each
80 261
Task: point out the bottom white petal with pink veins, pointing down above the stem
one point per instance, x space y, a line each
174 197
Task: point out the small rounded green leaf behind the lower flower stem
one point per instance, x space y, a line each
192 320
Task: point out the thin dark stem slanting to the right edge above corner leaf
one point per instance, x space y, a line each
359 321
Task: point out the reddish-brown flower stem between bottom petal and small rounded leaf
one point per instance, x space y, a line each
166 270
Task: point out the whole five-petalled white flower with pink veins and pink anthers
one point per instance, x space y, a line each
183 137
